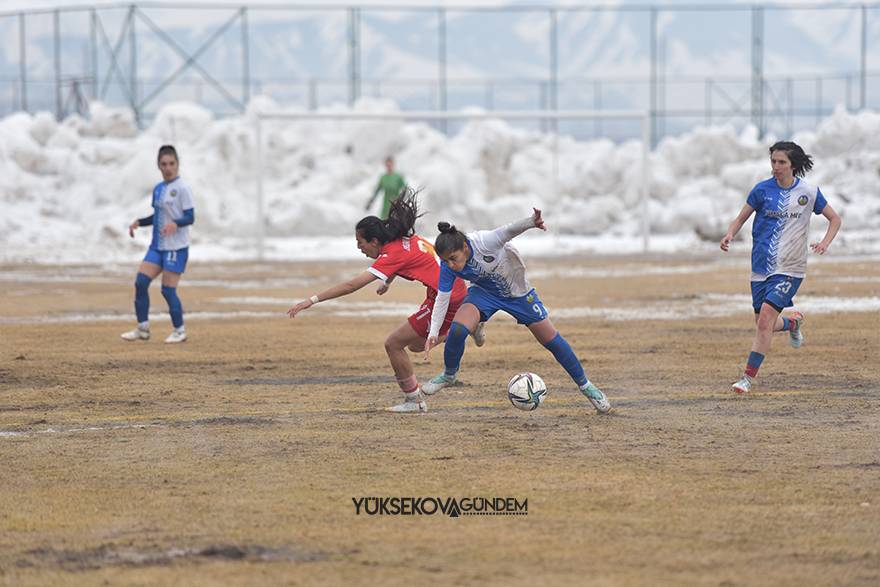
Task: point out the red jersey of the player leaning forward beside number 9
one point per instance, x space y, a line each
413 258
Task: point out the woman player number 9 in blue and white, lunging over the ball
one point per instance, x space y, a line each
498 282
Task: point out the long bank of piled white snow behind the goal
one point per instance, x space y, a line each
68 190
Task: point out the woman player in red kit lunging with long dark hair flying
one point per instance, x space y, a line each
400 252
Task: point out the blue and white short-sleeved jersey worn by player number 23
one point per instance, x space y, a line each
781 227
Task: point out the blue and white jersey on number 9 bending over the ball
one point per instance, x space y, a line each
494 265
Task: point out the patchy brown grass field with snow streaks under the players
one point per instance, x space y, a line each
234 457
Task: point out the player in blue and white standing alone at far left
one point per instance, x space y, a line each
172 214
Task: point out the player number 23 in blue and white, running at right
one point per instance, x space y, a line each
783 206
